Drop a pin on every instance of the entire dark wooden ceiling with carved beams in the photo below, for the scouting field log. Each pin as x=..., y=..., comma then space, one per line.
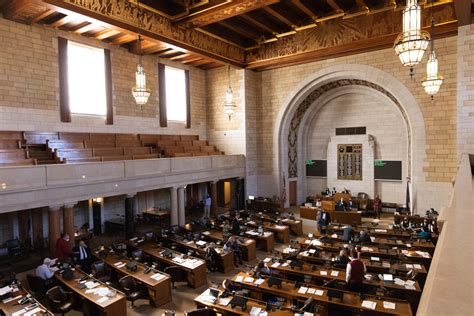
x=255, y=34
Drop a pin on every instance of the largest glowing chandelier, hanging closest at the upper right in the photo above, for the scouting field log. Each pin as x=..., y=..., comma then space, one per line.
x=411, y=44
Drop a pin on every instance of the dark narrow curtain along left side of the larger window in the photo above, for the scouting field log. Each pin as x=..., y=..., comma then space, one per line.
x=64, y=110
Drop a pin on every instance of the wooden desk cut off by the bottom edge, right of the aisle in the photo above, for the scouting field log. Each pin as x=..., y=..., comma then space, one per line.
x=228, y=310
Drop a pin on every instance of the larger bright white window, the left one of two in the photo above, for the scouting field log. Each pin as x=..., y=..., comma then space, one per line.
x=86, y=80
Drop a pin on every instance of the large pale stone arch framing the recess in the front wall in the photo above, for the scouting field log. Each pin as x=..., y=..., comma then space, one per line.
x=334, y=77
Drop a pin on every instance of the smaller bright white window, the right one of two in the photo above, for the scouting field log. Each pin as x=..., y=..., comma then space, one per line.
x=175, y=94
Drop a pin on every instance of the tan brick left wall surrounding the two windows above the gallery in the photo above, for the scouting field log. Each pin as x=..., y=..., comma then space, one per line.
x=29, y=86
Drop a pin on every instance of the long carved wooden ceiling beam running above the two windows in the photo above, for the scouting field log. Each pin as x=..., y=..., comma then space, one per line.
x=123, y=16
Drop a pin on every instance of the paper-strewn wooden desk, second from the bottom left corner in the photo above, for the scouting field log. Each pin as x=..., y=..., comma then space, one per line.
x=114, y=306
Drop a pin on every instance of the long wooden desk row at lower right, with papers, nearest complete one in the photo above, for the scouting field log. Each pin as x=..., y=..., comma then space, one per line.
x=350, y=301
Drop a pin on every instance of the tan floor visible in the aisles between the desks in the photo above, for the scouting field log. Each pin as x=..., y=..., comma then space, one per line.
x=183, y=296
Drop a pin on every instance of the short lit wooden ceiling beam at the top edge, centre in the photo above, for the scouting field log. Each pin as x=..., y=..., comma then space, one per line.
x=225, y=11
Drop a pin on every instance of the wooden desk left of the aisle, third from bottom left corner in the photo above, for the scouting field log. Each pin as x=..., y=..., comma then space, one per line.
x=159, y=291
